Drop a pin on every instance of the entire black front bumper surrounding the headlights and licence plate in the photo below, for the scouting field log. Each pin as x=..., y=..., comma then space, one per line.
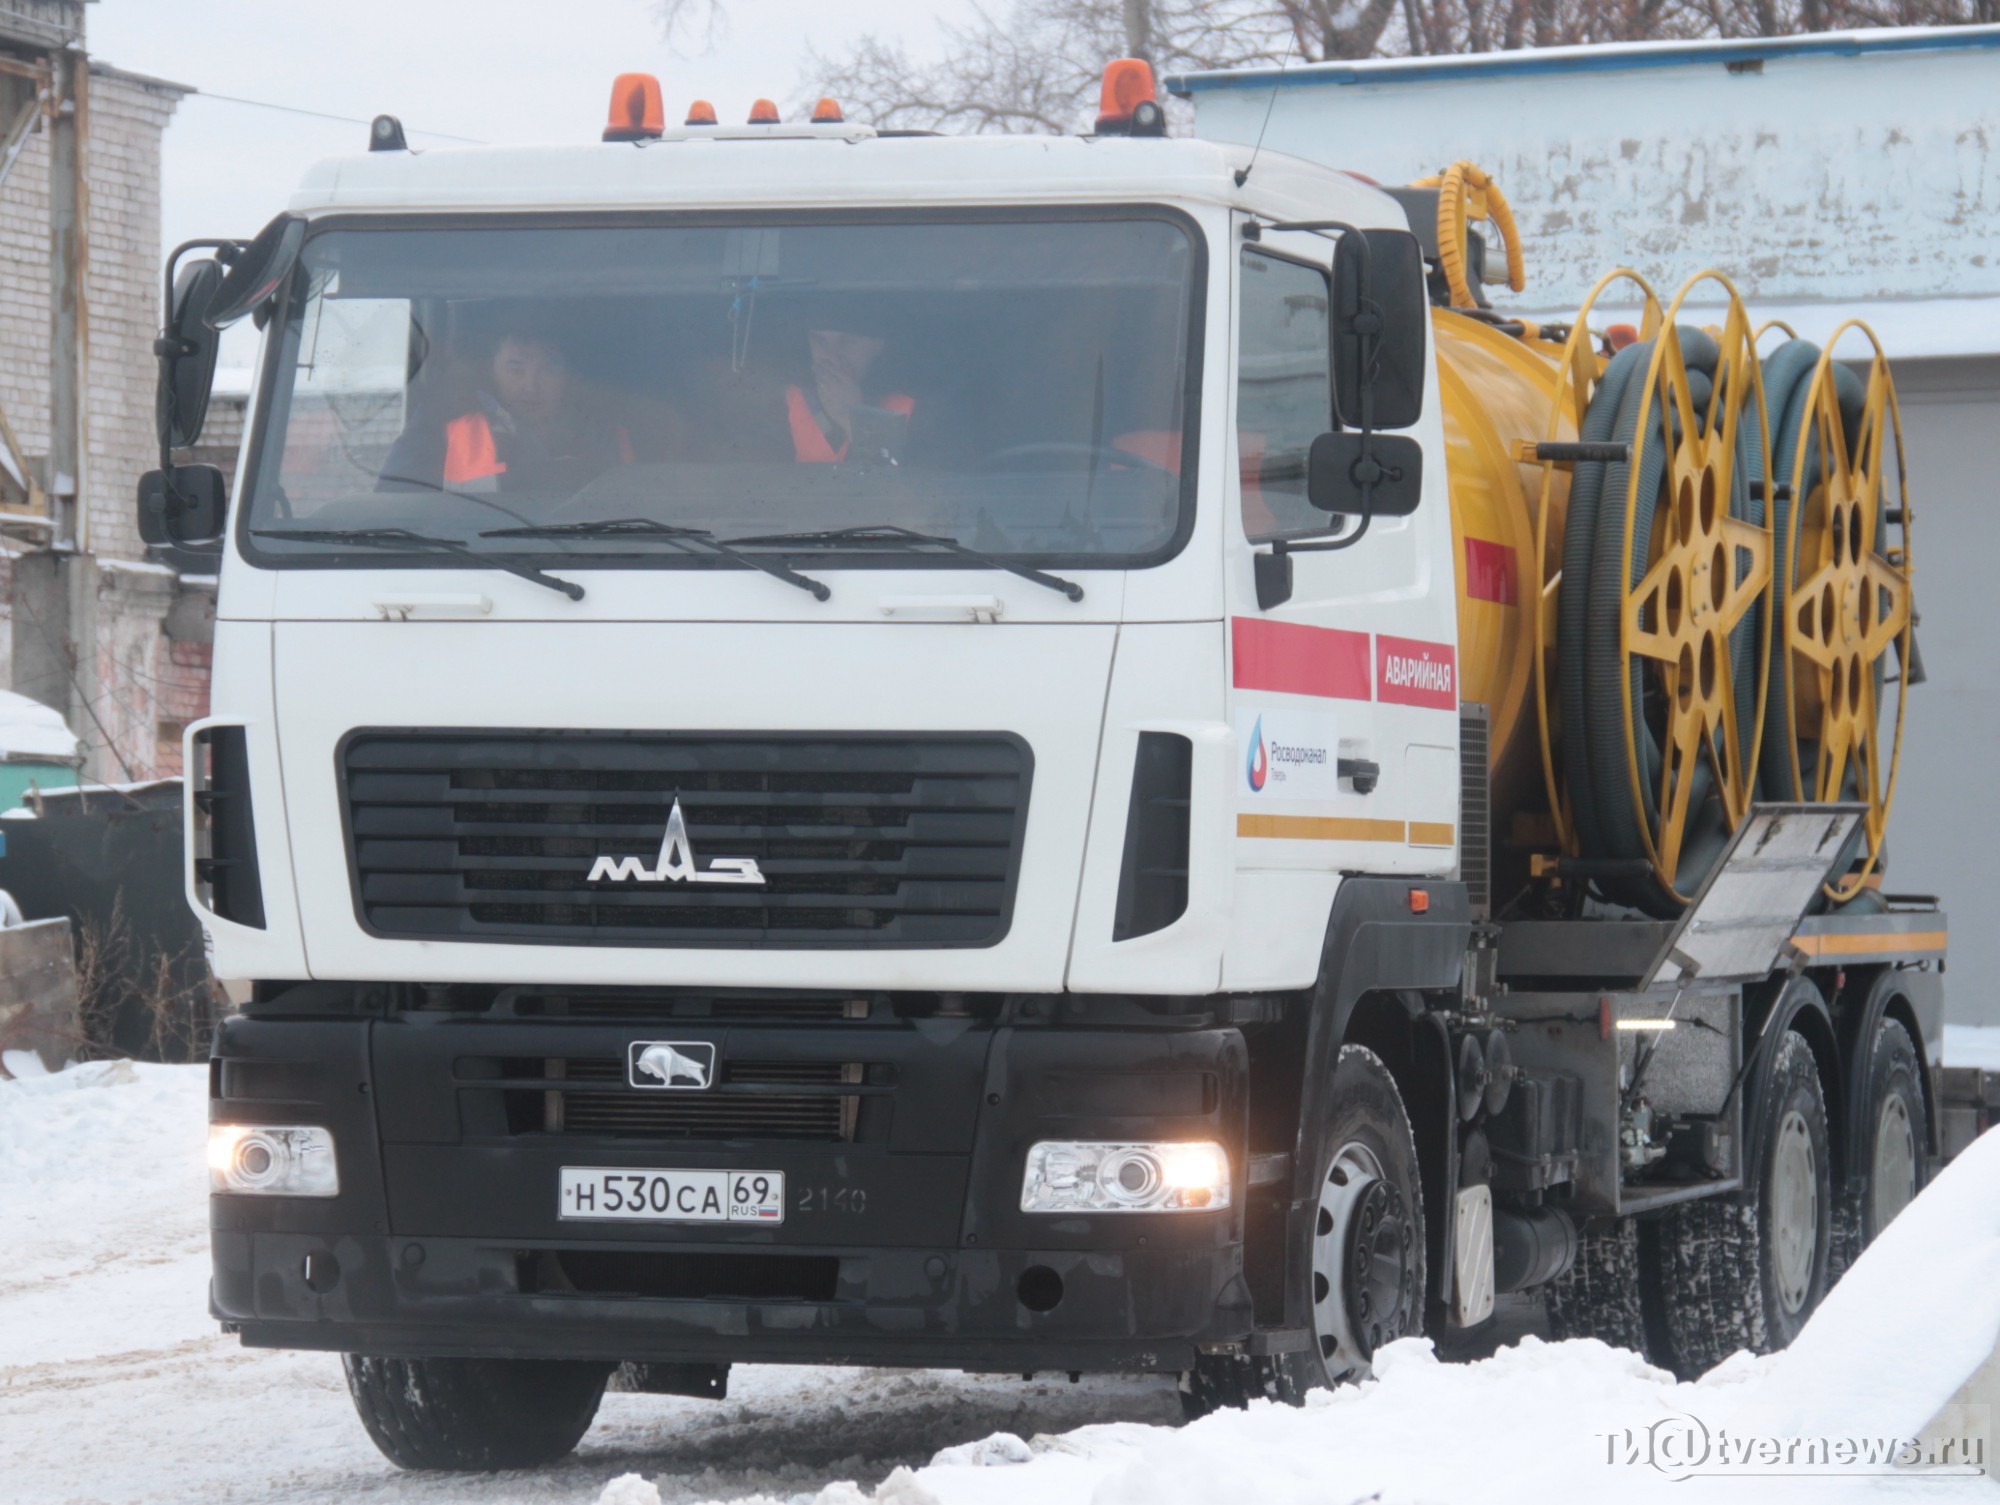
x=903, y=1244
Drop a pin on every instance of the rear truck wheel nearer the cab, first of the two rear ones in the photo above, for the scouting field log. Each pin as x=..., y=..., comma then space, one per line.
x=1747, y=1272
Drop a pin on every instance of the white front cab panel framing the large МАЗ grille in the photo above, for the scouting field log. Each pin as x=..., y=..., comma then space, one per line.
x=1041, y=683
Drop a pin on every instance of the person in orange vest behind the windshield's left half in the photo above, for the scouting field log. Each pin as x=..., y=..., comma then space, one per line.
x=529, y=427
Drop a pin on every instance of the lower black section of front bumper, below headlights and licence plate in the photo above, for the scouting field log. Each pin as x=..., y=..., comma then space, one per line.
x=1139, y=1310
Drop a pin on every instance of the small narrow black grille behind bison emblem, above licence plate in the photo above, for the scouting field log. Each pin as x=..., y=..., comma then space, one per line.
x=749, y=1104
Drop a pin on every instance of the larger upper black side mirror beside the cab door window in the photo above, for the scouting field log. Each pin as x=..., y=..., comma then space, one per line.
x=1381, y=313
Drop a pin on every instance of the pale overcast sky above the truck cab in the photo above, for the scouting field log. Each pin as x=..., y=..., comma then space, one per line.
x=495, y=71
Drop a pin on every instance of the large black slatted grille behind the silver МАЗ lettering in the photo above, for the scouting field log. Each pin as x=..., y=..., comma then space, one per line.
x=863, y=842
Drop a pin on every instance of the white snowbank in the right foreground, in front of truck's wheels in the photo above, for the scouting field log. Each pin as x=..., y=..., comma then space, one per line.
x=1541, y=1422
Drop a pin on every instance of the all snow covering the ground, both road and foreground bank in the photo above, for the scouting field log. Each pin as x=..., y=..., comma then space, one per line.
x=117, y=1388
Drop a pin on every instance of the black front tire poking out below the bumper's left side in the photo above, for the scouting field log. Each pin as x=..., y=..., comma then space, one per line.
x=475, y=1414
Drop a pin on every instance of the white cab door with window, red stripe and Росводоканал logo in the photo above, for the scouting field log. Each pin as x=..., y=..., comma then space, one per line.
x=1345, y=695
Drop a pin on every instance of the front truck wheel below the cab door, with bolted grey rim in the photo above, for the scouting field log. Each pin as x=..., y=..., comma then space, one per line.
x=1367, y=1260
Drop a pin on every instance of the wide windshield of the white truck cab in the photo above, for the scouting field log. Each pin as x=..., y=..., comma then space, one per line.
x=1019, y=387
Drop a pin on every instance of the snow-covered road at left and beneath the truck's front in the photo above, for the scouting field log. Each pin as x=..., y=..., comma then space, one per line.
x=117, y=1386
